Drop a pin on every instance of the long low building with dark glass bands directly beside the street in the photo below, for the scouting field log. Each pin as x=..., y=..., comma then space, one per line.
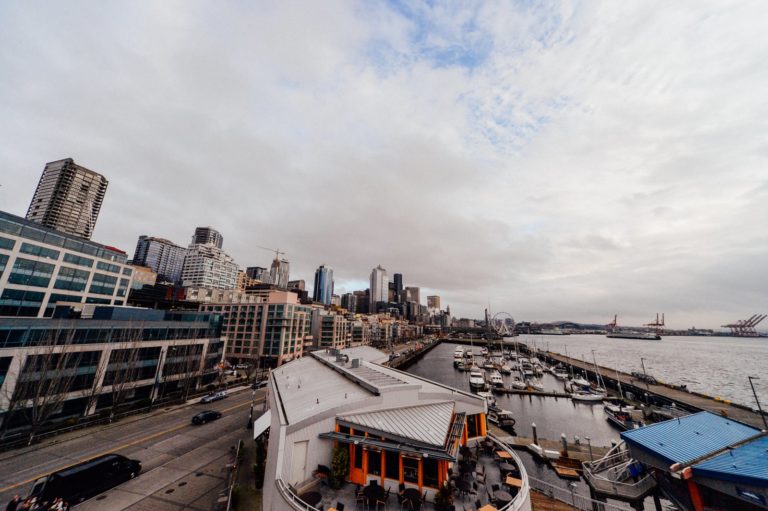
x=100, y=358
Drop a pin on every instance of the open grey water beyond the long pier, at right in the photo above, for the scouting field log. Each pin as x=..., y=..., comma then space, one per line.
x=716, y=366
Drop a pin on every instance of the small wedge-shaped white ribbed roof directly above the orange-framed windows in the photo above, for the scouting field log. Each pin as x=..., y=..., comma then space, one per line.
x=428, y=424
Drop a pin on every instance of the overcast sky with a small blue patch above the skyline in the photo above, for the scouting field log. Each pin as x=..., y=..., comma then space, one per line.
x=556, y=160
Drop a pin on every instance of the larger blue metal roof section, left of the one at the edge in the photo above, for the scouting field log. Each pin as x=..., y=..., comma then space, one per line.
x=687, y=438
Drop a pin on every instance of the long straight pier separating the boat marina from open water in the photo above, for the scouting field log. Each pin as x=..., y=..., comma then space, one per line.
x=689, y=400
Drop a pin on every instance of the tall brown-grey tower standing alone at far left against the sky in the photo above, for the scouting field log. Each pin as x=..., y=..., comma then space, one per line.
x=68, y=198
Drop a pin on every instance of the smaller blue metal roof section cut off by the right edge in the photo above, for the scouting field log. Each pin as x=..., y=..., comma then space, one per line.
x=746, y=464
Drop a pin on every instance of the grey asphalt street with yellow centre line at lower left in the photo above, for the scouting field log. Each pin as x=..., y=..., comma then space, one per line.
x=172, y=451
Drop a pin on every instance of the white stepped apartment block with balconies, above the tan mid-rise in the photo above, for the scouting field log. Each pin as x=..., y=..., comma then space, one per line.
x=209, y=266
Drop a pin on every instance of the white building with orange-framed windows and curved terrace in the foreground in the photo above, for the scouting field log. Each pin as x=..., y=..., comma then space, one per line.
x=393, y=428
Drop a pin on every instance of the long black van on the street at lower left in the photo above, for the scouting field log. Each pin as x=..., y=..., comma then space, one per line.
x=84, y=480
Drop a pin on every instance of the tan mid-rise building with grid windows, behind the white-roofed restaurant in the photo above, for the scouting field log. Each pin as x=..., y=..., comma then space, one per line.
x=265, y=328
